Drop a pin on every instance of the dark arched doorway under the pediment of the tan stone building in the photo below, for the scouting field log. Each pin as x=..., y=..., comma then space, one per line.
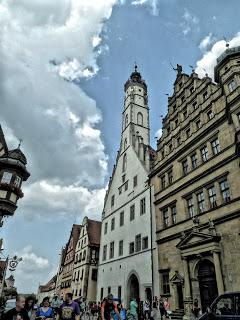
x=207, y=283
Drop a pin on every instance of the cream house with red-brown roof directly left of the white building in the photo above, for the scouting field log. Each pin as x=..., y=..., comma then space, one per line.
x=84, y=280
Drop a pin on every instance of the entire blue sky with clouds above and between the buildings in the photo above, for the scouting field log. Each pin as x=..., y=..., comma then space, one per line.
x=63, y=65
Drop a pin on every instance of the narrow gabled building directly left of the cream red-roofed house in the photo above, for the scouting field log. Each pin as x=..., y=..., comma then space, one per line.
x=66, y=271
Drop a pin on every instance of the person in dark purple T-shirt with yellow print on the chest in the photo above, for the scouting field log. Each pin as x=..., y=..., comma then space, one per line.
x=69, y=310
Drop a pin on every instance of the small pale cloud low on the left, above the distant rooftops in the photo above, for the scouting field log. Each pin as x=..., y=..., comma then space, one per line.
x=32, y=270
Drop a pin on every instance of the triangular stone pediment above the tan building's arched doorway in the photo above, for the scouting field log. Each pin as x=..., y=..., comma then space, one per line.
x=196, y=238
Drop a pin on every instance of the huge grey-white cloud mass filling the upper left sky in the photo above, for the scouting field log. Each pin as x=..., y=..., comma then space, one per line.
x=46, y=48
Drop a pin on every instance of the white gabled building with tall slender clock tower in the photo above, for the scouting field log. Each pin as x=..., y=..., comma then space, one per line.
x=128, y=256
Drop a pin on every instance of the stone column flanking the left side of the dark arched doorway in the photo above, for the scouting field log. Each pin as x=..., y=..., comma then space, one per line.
x=187, y=290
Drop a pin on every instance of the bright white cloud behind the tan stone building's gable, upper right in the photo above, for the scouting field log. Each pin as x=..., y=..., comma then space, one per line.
x=207, y=63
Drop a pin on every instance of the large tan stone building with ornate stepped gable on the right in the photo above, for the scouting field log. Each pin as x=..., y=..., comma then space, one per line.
x=196, y=178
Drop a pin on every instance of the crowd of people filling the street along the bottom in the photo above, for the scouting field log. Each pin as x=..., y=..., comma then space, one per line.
x=108, y=309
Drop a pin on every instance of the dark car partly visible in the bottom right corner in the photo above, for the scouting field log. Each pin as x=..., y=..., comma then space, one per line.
x=226, y=306
